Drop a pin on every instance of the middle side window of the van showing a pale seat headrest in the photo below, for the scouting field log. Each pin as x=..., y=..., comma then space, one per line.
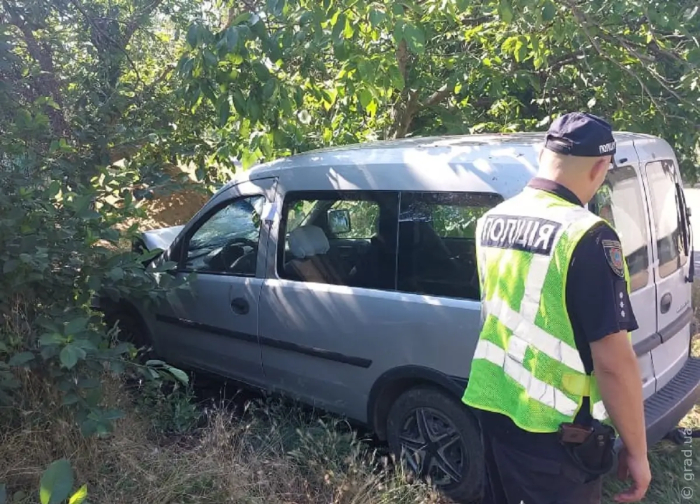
x=340, y=237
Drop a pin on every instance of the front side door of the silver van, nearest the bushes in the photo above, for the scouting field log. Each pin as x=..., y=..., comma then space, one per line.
x=213, y=325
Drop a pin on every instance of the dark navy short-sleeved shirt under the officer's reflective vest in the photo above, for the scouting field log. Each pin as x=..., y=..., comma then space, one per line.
x=598, y=305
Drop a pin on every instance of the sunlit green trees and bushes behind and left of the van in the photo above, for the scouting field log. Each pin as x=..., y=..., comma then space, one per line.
x=107, y=106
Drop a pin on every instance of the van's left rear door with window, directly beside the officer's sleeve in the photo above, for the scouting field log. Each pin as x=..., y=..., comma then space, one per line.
x=621, y=202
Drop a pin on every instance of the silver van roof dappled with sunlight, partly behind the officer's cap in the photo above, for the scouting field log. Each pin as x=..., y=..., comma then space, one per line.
x=500, y=163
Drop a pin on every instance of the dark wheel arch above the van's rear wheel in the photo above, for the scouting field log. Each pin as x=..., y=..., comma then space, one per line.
x=390, y=385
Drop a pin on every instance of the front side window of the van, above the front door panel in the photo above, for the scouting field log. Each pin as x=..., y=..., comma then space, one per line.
x=227, y=242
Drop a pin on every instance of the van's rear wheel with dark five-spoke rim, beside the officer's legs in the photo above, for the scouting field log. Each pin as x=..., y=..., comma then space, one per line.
x=438, y=439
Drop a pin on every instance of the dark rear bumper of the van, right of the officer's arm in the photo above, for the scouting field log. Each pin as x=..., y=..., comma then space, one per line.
x=663, y=410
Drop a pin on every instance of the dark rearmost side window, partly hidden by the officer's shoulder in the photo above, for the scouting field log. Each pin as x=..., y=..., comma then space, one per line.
x=437, y=249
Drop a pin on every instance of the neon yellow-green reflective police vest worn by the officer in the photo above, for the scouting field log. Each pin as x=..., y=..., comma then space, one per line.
x=533, y=236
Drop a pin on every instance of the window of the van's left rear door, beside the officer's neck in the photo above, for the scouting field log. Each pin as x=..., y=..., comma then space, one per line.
x=620, y=202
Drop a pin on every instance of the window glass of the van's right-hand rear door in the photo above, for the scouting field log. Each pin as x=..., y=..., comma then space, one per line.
x=667, y=217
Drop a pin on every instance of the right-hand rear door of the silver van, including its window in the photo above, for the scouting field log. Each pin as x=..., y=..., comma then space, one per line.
x=671, y=266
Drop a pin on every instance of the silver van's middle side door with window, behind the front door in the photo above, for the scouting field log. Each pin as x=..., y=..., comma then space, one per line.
x=316, y=328
